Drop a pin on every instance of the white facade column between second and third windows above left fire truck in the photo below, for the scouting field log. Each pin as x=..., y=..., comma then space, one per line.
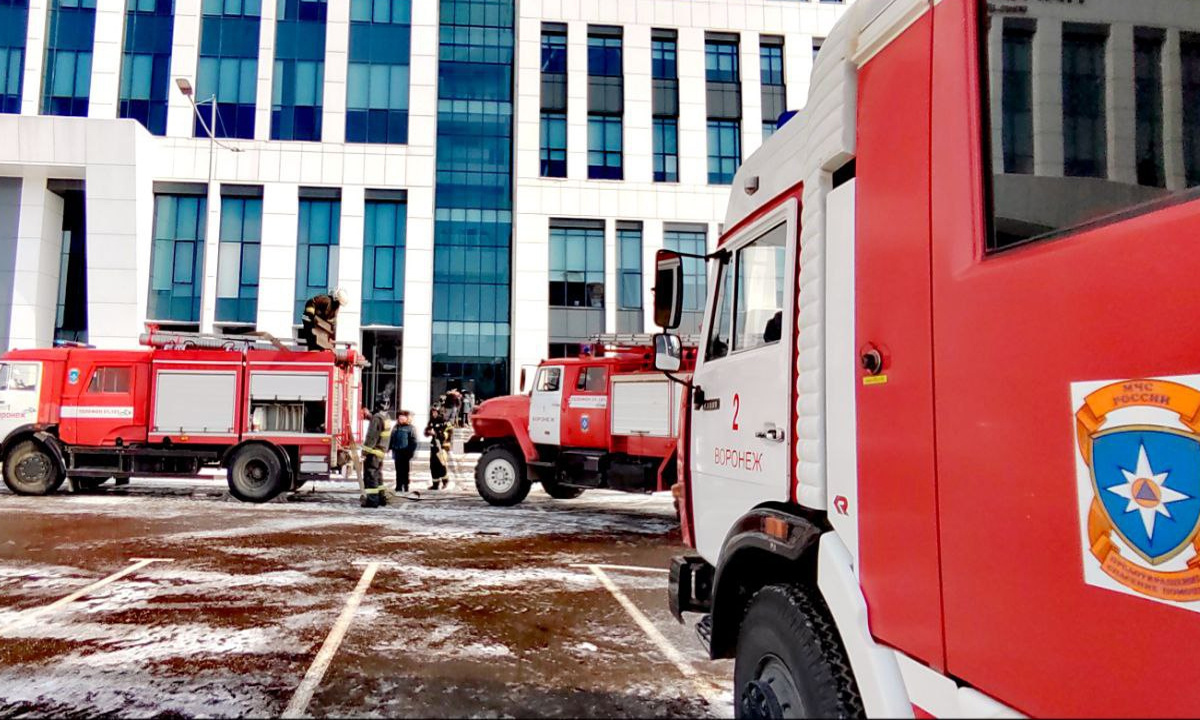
x=278, y=263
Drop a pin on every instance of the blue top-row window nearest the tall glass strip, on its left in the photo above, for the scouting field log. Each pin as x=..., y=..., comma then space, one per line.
x=379, y=74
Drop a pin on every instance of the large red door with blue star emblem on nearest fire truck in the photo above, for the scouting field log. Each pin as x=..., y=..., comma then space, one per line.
x=1067, y=375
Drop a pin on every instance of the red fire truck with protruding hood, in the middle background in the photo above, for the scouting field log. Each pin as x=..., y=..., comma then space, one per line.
x=605, y=419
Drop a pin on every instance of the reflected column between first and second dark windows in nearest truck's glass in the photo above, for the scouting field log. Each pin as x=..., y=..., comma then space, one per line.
x=1048, y=145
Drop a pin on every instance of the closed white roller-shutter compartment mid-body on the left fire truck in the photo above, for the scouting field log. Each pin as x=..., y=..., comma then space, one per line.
x=193, y=401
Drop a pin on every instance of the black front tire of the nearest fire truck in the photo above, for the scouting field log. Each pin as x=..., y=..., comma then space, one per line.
x=790, y=661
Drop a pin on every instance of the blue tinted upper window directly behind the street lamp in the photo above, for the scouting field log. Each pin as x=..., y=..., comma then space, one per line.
x=229, y=68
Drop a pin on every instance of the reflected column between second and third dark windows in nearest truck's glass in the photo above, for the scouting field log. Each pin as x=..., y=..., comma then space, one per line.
x=1123, y=111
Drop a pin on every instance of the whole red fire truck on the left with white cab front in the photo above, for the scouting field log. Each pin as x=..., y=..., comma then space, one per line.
x=273, y=415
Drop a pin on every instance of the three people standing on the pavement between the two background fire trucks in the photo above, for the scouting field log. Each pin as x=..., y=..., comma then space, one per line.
x=399, y=439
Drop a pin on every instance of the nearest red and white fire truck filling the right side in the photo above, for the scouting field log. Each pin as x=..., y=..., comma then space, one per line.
x=965, y=479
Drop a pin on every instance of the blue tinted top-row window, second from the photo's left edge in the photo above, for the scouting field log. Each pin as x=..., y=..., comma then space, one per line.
x=68, y=77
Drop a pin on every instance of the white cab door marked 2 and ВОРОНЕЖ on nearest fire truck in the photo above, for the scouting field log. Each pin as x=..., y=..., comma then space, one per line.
x=740, y=435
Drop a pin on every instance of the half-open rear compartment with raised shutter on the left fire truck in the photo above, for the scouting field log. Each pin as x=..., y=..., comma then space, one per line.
x=289, y=403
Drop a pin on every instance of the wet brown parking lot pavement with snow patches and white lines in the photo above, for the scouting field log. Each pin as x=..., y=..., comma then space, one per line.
x=226, y=609
